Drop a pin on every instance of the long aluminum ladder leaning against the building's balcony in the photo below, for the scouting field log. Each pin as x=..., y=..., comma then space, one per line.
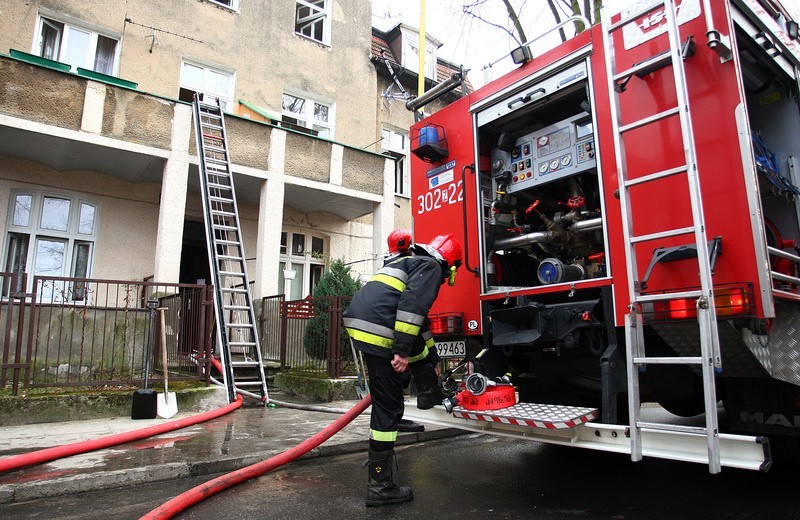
x=237, y=336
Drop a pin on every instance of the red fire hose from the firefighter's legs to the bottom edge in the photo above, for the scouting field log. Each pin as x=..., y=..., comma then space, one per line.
x=214, y=486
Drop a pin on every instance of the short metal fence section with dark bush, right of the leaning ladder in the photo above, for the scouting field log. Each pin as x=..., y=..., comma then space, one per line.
x=307, y=335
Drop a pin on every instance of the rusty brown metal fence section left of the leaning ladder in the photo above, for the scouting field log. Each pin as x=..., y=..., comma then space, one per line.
x=89, y=332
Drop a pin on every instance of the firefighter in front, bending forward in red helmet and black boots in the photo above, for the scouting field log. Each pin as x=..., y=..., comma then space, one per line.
x=385, y=321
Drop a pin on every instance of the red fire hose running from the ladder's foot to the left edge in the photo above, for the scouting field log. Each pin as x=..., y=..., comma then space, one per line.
x=76, y=448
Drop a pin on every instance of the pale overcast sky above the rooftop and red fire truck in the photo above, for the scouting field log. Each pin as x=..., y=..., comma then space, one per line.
x=470, y=42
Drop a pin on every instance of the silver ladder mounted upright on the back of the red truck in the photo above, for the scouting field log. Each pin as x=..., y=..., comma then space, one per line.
x=709, y=358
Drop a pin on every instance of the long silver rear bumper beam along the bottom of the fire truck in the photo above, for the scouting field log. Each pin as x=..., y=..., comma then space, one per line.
x=736, y=451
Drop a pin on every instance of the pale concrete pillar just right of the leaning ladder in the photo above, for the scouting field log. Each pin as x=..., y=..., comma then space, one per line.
x=270, y=220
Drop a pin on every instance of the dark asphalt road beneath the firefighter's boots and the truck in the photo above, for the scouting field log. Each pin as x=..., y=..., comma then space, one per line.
x=466, y=477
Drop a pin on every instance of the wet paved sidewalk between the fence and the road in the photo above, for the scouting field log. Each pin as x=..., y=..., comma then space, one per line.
x=243, y=437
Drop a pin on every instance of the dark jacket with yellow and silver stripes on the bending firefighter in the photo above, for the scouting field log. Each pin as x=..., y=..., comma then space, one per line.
x=389, y=314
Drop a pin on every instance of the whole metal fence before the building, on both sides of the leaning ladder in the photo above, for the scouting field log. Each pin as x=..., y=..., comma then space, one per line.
x=70, y=332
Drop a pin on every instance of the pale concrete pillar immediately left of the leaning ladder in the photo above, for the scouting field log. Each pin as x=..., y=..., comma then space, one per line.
x=172, y=208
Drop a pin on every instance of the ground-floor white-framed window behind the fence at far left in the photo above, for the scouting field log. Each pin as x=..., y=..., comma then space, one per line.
x=51, y=235
